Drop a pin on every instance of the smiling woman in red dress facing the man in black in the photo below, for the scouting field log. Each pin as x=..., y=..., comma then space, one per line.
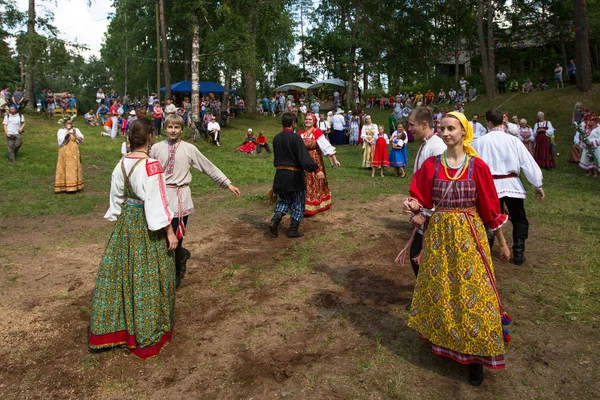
x=318, y=195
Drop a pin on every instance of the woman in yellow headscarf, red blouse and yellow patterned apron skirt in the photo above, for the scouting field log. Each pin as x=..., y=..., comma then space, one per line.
x=456, y=306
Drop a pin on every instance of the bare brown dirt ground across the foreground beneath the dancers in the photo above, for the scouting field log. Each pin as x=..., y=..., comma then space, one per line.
x=317, y=317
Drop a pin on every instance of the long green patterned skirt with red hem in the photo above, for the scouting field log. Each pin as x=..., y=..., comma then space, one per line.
x=134, y=299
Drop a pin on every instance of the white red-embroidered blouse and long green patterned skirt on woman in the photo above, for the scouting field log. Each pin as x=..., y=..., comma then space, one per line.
x=134, y=298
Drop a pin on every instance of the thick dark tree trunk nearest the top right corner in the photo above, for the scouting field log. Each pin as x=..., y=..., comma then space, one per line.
x=583, y=77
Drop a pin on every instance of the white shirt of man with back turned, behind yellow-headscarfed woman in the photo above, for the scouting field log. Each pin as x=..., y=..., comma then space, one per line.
x=505, y=154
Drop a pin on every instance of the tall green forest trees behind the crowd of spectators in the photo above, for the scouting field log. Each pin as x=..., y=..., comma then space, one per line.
x=254, y=46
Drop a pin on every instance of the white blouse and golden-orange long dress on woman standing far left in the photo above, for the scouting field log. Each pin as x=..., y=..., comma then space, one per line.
x=69, y=173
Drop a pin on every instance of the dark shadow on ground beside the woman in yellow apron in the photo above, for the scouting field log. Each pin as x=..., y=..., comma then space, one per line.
x=376, y=310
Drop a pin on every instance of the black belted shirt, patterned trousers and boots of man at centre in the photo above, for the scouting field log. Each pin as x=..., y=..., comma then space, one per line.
x=291, y=160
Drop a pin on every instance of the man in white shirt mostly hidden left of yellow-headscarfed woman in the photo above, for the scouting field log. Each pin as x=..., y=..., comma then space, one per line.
x=420, y=123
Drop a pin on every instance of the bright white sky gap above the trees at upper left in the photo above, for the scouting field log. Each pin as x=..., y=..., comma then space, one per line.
x=77, y=22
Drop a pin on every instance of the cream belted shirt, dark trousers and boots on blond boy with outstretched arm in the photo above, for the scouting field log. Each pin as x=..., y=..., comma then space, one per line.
x=177, y=158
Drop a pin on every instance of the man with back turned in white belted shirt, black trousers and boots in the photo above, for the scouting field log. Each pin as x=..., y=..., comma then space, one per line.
x=507, y=157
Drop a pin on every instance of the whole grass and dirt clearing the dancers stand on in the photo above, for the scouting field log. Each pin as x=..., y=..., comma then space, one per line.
x=321, y=317
